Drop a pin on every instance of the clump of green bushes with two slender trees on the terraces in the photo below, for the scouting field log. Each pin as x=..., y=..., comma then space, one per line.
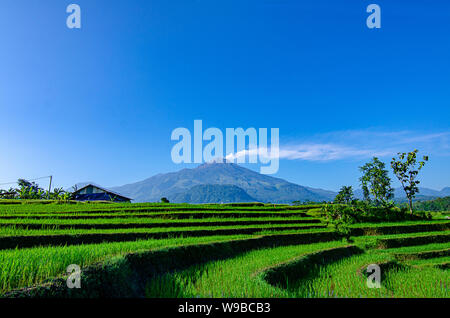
x=378, y=205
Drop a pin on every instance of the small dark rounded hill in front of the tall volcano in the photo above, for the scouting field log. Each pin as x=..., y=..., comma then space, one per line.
x=212, y=193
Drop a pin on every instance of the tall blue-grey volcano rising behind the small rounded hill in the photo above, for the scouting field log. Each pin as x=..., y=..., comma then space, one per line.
x=261, y=187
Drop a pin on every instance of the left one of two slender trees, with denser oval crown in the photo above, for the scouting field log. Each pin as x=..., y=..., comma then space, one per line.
x=376, y=182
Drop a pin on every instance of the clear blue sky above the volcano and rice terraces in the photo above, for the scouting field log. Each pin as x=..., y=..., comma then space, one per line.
x=100, y=103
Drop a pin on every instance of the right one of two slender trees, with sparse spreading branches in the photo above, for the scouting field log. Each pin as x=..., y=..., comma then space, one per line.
x=406, y=168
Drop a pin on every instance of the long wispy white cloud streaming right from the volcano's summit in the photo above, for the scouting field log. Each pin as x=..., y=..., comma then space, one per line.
x=354, y=145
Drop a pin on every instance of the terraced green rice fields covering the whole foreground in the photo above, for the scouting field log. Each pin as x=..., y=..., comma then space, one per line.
x=242, y=250
